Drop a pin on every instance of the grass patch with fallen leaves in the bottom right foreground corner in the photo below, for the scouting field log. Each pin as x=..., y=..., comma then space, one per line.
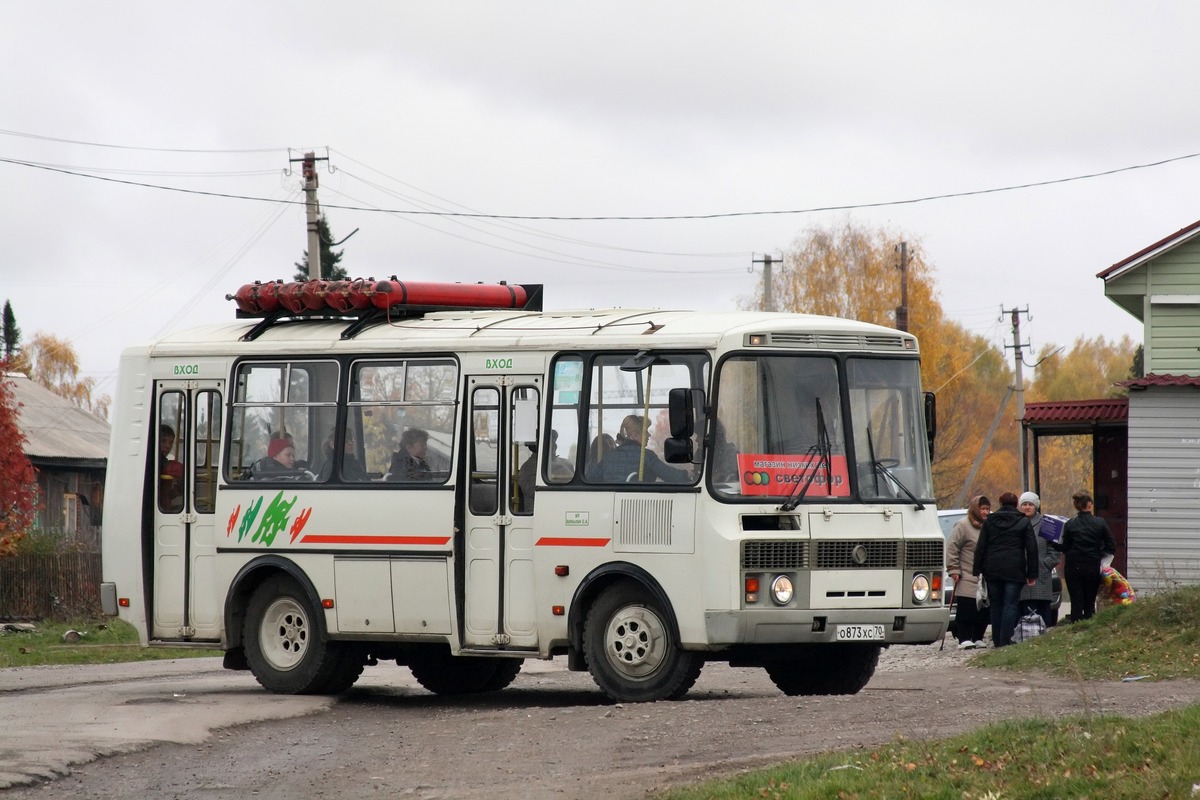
x=1096, y=757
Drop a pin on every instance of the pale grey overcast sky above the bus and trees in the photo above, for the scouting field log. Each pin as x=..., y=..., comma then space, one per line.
x=585, y=110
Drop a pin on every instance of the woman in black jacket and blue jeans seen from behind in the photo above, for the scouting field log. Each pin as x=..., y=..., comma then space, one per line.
x=1007, y=558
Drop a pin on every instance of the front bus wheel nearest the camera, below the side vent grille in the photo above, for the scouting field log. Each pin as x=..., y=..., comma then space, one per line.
x=632, y=652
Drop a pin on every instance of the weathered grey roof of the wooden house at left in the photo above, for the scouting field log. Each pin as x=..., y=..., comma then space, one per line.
x=56, y=429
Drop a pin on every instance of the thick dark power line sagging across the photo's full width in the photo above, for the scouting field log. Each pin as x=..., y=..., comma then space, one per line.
x=667, y=218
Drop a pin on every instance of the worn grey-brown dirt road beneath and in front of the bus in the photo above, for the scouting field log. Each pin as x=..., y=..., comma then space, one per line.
x=554, y=736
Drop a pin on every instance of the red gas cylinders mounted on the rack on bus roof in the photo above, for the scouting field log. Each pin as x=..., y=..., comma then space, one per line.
x=367, y=302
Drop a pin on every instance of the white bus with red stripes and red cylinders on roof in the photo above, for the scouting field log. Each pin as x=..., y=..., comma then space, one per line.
x=401, y=473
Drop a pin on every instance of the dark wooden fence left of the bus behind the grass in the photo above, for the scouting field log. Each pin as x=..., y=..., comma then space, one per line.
x=58, y=587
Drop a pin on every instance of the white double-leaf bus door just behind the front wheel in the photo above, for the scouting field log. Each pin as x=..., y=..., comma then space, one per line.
x=499, y=545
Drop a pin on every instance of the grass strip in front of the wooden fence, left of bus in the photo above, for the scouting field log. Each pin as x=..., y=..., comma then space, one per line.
x=107, y=641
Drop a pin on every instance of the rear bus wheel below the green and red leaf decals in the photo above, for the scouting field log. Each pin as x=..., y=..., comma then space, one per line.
x=285, y=646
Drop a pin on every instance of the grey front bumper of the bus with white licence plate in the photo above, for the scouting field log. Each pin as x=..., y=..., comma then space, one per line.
x=793, y=627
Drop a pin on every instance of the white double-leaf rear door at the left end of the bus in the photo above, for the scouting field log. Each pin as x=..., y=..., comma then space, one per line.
x=184, y=604
